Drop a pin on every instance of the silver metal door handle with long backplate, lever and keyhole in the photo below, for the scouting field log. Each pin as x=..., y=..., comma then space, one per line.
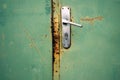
x=66, y=26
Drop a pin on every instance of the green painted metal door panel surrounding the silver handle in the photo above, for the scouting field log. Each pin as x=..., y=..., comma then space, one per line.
x=95, y=49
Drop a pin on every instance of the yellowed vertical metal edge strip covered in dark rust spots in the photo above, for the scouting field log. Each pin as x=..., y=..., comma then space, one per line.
x=55, y=38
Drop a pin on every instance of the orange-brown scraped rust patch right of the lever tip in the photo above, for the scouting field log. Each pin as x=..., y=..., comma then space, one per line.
x=92, y=20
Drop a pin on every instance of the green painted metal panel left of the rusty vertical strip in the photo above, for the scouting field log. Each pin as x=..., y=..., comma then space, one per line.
x=25, y=40
